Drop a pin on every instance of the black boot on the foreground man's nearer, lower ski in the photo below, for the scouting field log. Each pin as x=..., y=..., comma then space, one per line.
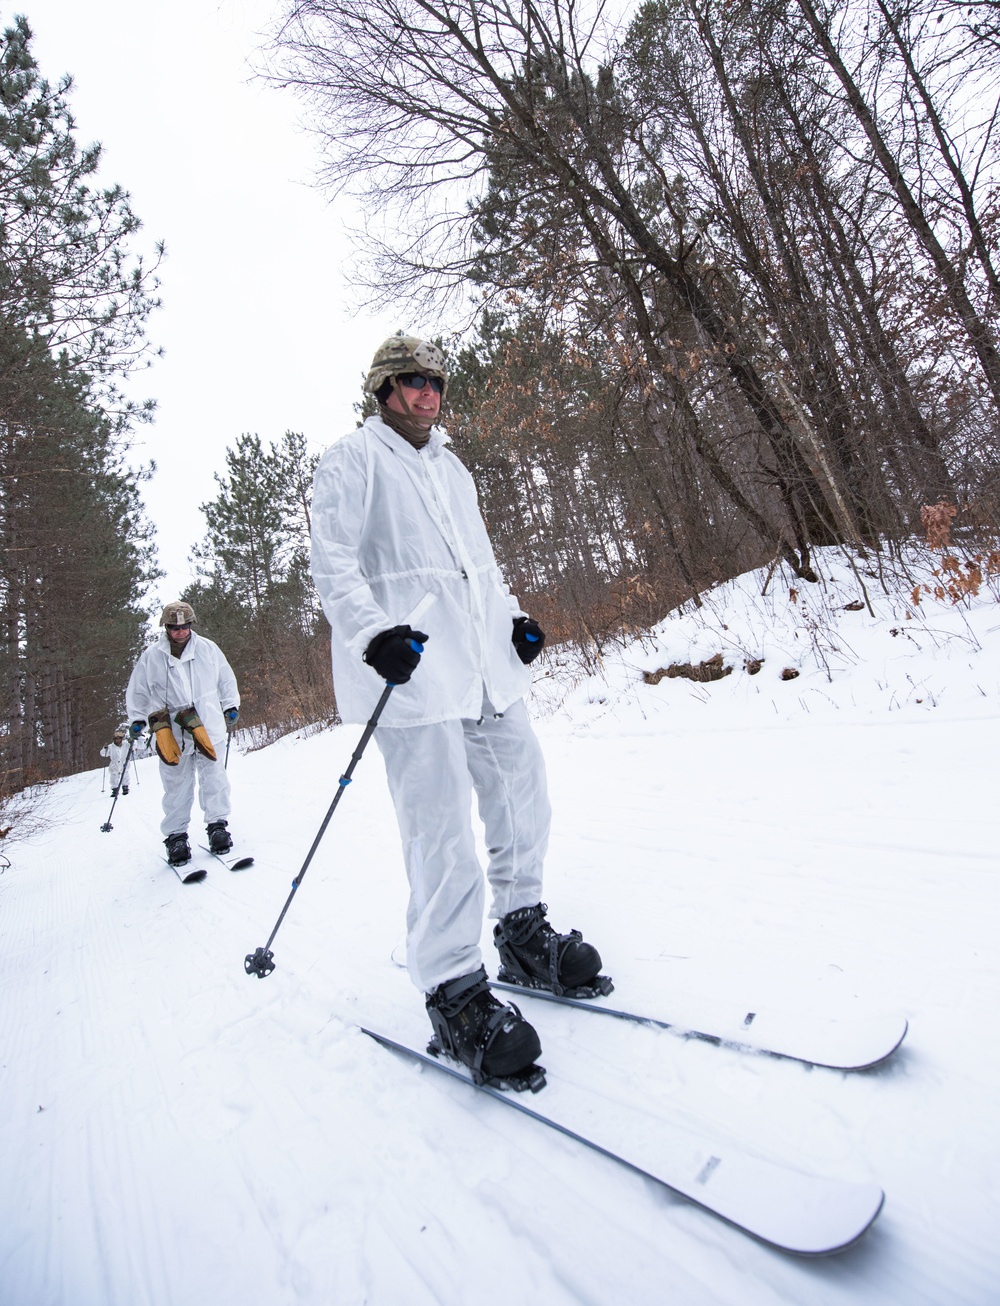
x=493, y=1040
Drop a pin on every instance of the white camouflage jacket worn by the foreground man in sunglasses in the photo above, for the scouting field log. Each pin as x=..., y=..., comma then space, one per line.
x=395, y=530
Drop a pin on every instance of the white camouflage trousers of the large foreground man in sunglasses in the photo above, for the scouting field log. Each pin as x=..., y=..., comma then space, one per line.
x=433, y=771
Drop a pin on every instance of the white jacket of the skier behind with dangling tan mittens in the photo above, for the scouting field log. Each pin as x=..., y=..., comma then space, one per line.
x=200, y=678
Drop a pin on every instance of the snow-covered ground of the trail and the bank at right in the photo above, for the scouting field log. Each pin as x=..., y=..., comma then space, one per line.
x=176, y=1133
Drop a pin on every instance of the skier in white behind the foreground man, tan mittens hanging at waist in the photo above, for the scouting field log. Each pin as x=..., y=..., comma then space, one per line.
x=186, y=692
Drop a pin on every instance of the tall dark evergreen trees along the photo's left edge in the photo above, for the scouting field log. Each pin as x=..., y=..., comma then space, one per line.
x=75, y=550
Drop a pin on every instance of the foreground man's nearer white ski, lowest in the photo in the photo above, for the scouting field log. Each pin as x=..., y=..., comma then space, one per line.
x=790, y=1210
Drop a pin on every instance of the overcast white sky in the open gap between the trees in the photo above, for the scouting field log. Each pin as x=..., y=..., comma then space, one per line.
x=259, y=327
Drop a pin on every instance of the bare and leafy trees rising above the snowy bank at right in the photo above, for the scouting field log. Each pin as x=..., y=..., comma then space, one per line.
x=730, y=270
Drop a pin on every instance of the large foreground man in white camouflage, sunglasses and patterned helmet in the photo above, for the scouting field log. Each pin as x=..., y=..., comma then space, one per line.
x=398, y=531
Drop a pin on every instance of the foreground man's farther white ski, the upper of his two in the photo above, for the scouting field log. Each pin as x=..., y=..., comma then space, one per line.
x=851, y=1043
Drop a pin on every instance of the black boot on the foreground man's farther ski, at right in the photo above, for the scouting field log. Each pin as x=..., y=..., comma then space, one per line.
x=535, y=957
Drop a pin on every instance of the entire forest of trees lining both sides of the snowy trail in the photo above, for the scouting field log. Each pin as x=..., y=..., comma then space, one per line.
x=719, y=285
